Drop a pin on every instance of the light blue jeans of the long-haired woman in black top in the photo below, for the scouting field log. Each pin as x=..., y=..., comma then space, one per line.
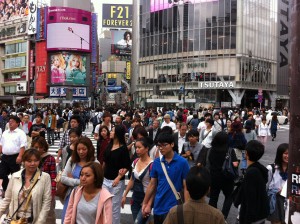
x=116, y=200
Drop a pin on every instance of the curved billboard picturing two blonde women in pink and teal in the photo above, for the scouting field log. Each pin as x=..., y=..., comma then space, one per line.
x=68, y=68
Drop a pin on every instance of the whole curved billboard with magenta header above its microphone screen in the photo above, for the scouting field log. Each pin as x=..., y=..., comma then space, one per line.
x=73, y=26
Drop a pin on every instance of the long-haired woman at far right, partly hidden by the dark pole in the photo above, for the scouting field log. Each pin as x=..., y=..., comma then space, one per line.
x=278, y=174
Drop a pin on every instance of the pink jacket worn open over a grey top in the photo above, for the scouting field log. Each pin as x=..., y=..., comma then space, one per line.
x=104, y=210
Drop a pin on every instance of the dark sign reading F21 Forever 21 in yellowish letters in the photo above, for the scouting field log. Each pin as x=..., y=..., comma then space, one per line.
x=117, y=16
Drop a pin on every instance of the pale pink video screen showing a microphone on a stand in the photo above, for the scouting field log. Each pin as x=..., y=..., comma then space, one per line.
x=68, y=36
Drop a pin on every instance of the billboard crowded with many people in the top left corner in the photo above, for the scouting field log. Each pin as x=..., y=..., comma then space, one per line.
x=11, y=10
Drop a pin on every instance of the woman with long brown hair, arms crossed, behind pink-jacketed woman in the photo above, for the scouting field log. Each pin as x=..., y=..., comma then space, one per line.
x=83, y=153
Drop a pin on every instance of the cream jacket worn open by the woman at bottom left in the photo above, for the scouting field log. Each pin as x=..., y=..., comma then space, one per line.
x=41, y=197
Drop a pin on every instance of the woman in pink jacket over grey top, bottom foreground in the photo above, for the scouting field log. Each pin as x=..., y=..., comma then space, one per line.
x=90, y=203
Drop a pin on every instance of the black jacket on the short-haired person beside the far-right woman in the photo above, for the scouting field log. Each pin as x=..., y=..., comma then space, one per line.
x=253, y=194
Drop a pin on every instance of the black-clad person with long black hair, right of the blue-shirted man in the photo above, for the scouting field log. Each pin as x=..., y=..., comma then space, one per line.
x=219, y=182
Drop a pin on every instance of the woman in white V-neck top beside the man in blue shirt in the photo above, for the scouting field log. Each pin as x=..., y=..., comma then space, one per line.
x=139, y=180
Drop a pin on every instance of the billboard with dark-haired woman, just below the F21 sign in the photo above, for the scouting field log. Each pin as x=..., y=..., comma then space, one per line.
x=121, y=42
